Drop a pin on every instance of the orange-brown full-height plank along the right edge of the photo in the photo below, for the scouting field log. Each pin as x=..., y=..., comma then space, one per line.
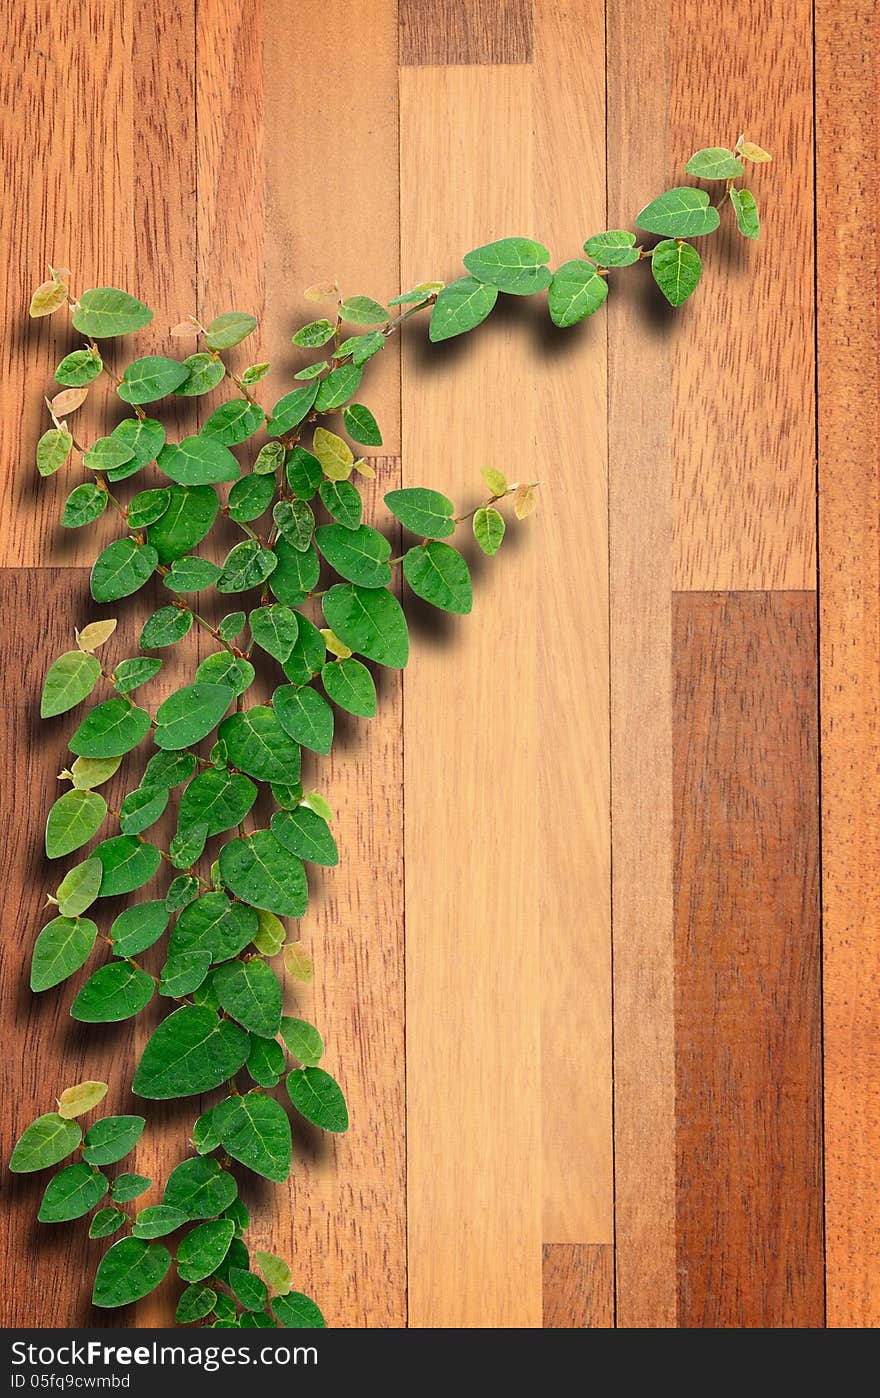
x=849, y=182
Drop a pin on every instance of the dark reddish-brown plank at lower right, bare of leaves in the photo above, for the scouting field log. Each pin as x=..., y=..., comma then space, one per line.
x=748, y=961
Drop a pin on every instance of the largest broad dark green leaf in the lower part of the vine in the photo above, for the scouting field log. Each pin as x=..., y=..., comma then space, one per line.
x=190, y=1053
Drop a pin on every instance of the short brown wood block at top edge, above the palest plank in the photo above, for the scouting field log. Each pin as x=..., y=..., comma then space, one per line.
x=465, y=31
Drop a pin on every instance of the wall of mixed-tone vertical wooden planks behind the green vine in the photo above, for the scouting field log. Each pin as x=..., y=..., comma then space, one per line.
x=572, y=965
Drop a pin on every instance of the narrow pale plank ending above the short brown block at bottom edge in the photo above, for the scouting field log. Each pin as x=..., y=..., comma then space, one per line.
x=576, y=855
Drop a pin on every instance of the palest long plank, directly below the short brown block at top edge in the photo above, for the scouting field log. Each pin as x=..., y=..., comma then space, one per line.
x=472, y=743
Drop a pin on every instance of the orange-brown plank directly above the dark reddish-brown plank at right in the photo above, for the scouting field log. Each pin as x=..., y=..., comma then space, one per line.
x=742, y=356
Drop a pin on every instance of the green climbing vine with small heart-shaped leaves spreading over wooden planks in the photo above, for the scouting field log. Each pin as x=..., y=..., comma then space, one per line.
x=314, y=596
